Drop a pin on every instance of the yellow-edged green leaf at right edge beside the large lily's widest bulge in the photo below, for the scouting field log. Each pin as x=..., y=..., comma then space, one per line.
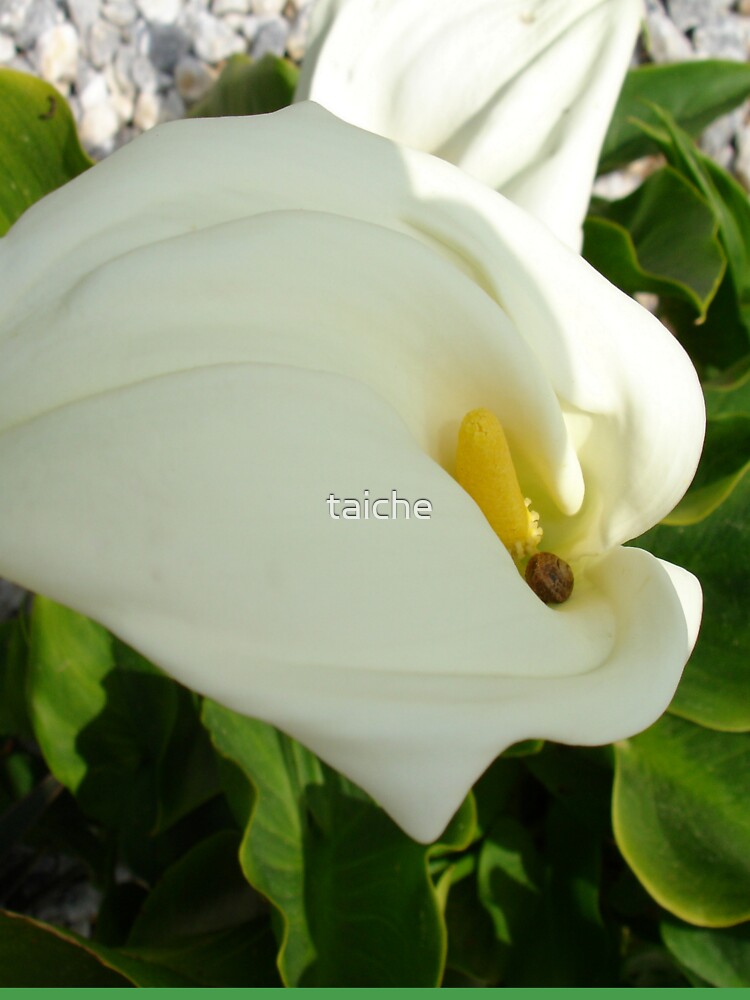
x=725, y=460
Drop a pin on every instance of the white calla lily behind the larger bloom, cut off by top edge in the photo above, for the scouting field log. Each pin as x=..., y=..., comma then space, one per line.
x=518, y=93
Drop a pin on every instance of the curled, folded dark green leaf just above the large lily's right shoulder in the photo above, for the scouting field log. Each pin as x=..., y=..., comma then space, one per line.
x=662, y=238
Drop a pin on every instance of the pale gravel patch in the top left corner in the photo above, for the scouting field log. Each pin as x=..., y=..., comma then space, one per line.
x=127, y=65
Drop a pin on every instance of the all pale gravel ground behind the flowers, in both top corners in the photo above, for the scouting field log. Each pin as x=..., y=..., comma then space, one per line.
x=126, y=65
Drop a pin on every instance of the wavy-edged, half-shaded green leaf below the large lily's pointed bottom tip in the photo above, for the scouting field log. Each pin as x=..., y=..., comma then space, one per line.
x=355, y=901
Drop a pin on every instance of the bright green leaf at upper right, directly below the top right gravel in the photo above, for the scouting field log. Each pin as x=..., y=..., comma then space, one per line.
x=695, y=93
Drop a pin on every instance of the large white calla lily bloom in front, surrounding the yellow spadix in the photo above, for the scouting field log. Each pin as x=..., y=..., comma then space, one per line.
x=226, y=322
